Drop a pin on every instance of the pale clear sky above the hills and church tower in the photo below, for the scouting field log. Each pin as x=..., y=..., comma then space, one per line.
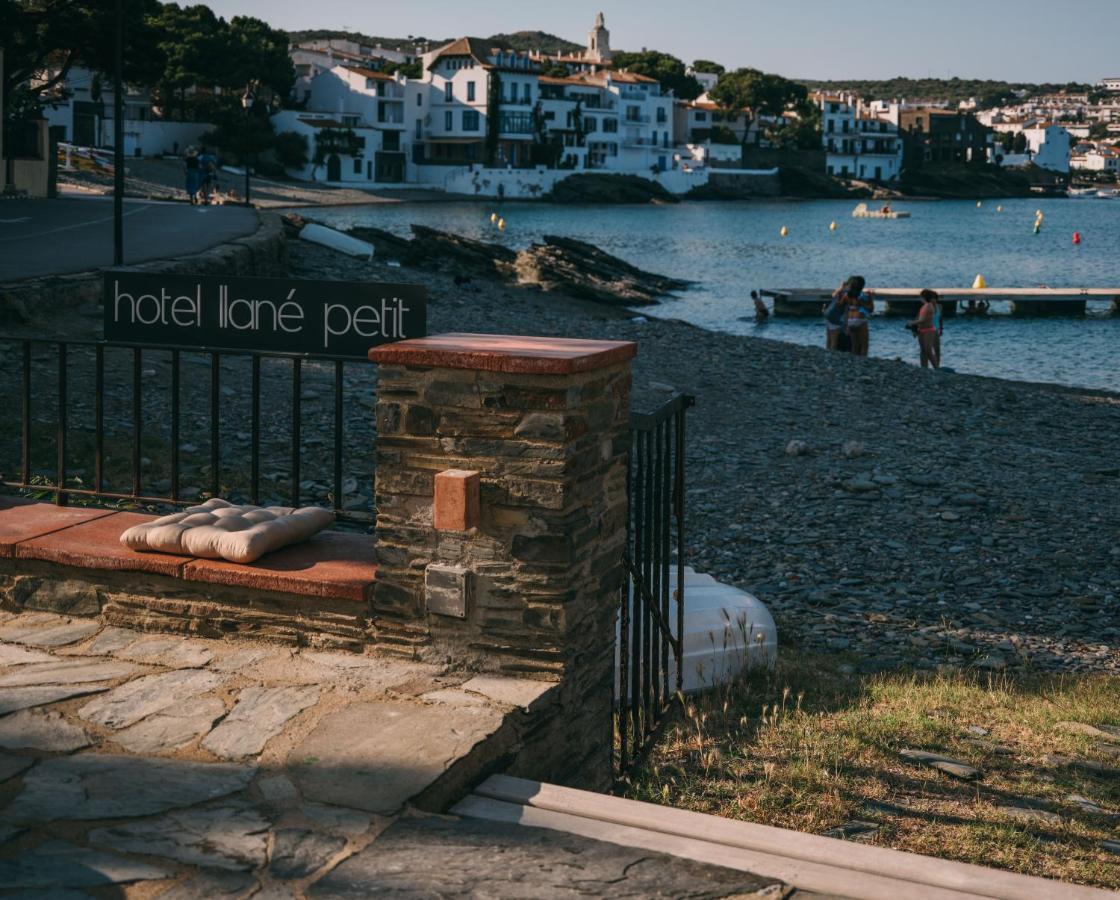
x=1020, y=41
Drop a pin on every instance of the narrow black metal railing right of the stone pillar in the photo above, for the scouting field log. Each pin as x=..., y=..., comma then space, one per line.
x=651, y=620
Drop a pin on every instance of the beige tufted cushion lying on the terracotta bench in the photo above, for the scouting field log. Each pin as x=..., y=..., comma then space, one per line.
x=220, y=530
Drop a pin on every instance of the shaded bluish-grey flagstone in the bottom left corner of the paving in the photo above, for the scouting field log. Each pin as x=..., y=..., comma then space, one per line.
x=62, y=865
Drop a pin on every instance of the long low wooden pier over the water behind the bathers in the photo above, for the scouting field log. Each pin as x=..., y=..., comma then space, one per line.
x=906, y=302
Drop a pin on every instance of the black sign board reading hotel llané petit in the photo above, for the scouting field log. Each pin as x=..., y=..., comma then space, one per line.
x=321, y=318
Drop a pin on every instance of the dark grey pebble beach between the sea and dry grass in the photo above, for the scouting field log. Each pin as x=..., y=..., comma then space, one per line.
x=888, y=514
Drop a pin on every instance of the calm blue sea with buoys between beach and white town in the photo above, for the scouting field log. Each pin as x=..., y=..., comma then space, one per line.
x=729, y=249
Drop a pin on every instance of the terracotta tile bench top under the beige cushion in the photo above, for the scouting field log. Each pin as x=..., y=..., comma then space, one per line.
x=332, y=565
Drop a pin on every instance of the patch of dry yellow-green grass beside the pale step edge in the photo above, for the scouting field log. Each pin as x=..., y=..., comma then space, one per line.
x=811, y=747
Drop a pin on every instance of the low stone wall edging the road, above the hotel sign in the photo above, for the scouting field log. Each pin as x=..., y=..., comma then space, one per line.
x=263, y=254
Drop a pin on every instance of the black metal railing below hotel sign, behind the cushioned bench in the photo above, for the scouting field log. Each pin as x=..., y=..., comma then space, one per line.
x=63, y=434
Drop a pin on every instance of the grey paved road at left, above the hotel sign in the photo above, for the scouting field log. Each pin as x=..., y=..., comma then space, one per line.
x=42, y=238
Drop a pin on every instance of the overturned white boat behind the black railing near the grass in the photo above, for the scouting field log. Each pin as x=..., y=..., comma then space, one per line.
x=726, y=631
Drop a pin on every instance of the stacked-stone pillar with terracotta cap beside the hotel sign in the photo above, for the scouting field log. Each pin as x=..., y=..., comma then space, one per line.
x=531, y=590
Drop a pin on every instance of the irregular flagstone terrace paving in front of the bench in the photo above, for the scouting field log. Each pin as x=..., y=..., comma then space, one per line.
x=130, y=787
